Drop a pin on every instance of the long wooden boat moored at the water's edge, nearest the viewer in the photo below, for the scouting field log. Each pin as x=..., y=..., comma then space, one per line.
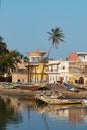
x=57, y=101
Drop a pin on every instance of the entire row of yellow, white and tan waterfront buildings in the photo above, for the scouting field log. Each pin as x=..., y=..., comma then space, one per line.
x=73, y=70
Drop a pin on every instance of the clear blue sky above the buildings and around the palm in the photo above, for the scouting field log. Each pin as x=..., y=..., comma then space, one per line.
x=24, y=25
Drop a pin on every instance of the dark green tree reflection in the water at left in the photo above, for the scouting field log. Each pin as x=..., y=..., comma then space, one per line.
x=8, y=113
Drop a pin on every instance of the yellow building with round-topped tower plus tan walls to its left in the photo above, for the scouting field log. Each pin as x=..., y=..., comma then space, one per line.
x=32, y=70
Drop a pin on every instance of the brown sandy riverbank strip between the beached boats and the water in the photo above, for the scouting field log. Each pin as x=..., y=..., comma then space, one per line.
x=82, y=93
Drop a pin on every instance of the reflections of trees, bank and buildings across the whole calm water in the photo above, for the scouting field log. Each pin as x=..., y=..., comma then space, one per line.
x=11, y=110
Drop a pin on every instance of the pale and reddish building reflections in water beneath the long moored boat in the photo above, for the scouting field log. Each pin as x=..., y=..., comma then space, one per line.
x=73, y=113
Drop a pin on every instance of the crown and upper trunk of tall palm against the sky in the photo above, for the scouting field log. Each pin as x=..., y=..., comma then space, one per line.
x=57, y=36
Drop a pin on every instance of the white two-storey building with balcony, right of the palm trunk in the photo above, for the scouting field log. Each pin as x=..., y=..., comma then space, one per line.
x=58, y=70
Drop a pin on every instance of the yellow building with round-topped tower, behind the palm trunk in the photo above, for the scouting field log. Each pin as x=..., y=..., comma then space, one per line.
x=36, y=66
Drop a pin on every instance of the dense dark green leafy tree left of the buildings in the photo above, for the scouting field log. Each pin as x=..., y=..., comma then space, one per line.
x=8, y=59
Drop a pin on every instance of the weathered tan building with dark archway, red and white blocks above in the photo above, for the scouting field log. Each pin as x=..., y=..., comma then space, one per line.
x=78, y=67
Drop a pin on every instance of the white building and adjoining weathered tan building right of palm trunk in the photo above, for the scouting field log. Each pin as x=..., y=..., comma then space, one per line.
x=74, y=72
